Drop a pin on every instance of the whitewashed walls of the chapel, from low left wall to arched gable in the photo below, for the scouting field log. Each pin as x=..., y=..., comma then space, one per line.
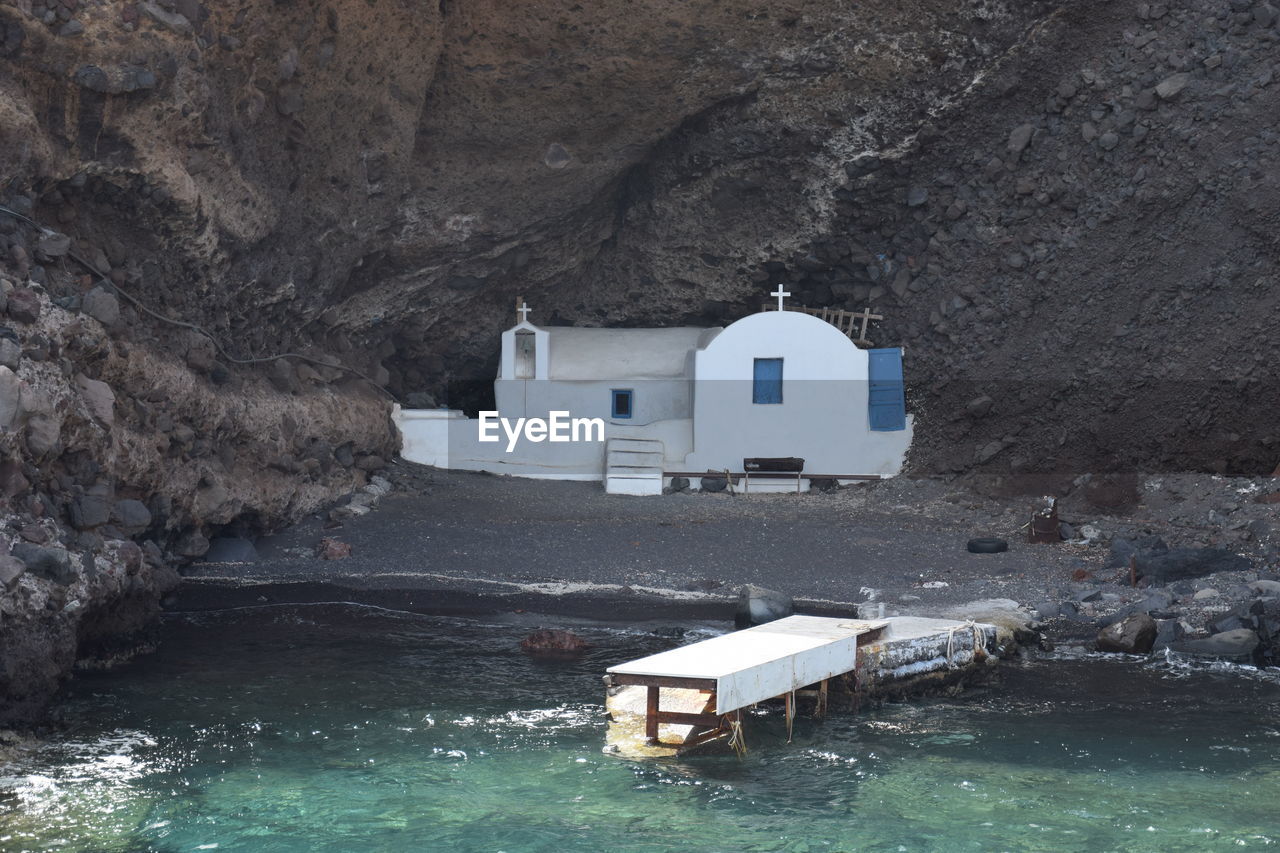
x=824, y=416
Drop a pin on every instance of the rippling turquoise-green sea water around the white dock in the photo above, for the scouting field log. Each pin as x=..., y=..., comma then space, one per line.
x=344, y=729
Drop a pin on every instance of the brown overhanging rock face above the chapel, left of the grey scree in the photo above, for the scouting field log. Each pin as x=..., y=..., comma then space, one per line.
x=394, y=174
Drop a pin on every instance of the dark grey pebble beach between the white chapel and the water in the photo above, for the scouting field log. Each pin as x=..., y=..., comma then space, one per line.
x=470, y=545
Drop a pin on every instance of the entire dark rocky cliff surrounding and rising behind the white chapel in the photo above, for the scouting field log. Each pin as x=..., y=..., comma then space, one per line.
x=1067, y=213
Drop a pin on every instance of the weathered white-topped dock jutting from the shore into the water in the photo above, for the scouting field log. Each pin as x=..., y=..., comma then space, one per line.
x=668, y=704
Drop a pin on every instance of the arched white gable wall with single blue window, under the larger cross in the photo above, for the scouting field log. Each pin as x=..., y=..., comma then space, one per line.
x=824, y=417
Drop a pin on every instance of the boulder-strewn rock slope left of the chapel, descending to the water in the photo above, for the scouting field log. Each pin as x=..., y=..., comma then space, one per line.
x=121, y=463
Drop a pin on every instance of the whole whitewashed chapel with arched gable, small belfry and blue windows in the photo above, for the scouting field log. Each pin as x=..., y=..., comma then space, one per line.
x=639, y=407
